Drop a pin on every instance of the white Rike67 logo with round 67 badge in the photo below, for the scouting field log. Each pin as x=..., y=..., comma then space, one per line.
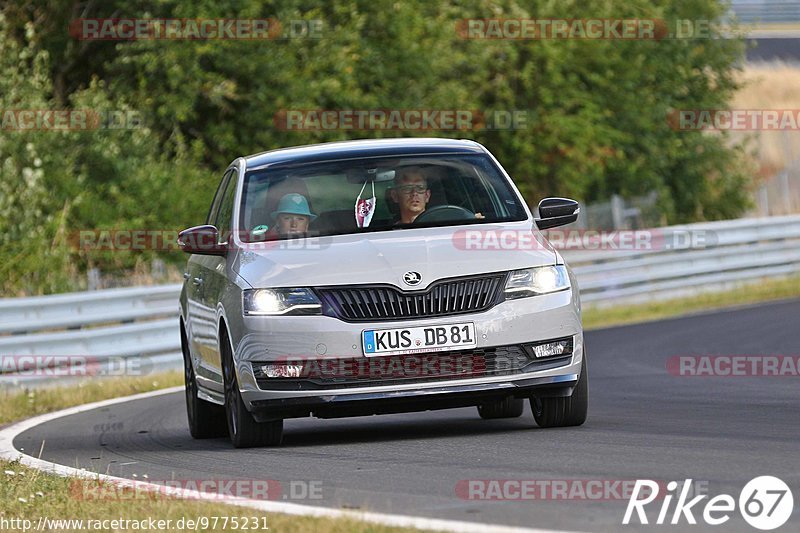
x=765, y=503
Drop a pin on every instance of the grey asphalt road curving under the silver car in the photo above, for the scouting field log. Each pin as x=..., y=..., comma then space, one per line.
x=643, y=423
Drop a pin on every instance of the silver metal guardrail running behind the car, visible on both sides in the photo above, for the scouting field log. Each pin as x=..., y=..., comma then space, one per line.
x=142, y=322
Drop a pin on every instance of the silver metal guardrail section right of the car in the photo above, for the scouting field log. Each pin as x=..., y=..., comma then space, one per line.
x=735, y=251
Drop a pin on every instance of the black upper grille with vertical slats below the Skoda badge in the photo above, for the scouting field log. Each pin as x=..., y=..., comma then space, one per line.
x=386, y=302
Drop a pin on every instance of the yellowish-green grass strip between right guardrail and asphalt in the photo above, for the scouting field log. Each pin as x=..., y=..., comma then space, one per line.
x=764, y=291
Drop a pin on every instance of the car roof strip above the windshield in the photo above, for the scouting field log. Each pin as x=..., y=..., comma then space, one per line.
x=363, y=148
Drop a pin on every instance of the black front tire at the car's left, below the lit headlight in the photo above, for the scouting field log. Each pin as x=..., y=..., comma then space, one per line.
x=243, y=429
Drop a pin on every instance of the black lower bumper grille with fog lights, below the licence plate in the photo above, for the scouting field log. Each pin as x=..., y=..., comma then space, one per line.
x=400, y=369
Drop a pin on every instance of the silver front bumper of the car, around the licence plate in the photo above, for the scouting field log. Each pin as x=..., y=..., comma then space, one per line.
x=515, y=322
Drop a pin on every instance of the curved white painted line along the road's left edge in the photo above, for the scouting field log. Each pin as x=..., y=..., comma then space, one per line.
x=8, y=452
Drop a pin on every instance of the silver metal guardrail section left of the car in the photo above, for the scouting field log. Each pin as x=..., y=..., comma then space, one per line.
x=95, y=328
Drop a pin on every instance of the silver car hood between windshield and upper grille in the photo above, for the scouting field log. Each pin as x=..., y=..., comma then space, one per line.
x=383, y=257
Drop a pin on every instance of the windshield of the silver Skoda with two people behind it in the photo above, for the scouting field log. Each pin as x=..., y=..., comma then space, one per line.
x=375, y=194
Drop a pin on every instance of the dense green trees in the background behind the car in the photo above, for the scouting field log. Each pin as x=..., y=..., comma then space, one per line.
x=596, y=109
